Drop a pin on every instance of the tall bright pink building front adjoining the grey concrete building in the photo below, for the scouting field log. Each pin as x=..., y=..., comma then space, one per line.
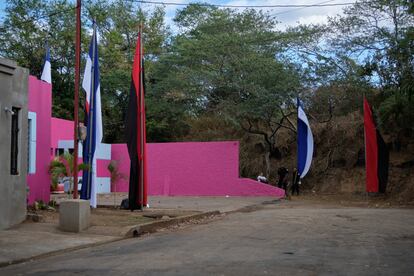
x=40, y=102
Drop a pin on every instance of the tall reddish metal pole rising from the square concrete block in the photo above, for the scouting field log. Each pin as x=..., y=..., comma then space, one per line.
x=76, y=100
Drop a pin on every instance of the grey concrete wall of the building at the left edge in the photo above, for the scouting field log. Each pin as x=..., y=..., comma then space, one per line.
x=13, y=83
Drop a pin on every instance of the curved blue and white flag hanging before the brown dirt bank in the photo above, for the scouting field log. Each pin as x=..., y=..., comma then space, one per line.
x=305, y=142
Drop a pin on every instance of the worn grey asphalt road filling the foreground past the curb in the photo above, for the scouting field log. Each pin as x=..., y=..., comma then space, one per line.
x=276, y=240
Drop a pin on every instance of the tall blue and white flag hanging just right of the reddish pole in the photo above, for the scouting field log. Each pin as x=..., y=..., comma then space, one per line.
x=94, y=133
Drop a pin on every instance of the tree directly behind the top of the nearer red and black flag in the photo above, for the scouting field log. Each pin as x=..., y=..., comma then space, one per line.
x=119, y=23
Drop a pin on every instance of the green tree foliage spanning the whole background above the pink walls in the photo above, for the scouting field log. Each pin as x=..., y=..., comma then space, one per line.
x=225, y=74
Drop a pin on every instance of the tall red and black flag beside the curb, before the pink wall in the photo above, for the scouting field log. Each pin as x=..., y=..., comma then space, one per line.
x=136, y=133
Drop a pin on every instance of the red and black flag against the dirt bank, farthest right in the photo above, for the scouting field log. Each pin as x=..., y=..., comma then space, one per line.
x=376, y=155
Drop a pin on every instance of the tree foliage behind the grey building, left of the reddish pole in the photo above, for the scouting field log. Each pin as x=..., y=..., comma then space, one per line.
x=27, y=27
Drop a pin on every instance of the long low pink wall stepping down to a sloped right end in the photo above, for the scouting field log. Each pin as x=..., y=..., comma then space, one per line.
x=192, y=169
